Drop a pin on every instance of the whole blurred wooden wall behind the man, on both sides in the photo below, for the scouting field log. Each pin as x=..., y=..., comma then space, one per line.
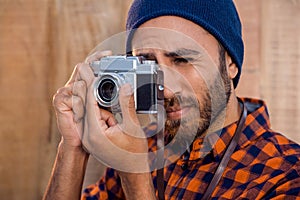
x=42, y=40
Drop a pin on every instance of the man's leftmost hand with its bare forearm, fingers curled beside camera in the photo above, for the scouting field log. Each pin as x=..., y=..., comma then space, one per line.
x=69, y=168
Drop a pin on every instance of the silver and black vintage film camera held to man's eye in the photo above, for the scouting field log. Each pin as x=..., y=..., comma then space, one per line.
x=145, y=77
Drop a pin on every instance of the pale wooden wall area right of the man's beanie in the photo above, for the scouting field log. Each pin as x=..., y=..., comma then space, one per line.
x=272, y=60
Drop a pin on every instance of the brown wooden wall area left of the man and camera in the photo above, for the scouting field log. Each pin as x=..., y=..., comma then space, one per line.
x=40, y=43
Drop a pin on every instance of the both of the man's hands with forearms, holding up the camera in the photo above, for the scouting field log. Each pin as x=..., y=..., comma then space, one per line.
x=82, y=123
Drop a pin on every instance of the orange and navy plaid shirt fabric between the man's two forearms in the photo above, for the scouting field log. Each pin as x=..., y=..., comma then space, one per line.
x=108, y=187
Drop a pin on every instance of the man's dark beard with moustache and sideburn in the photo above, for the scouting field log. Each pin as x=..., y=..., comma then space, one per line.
x=209, y=113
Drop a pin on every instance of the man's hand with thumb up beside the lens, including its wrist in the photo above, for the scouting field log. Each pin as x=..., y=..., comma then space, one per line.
x=122, y=146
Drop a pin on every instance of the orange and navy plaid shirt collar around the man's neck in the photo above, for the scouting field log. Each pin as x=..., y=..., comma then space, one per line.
x=216, y=143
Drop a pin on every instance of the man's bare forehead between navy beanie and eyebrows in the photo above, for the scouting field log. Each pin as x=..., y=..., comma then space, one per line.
x=172, y=32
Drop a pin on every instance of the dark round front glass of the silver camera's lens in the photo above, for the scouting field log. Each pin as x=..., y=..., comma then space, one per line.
x=107, y=90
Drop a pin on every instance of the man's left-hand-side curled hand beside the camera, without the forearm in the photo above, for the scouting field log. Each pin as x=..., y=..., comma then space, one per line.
x=69, y=102
